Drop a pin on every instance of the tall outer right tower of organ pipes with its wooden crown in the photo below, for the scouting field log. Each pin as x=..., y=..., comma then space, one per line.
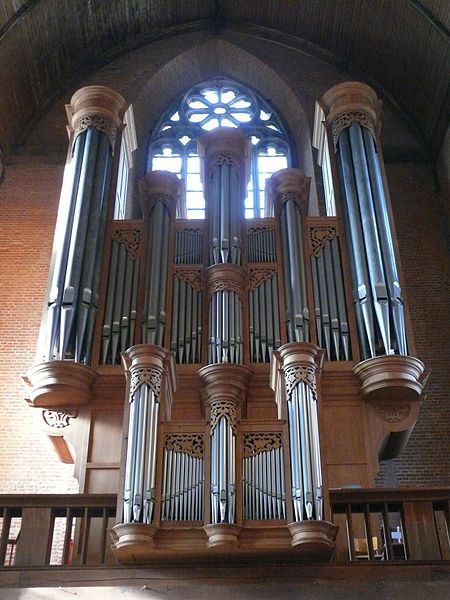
x=351, y=111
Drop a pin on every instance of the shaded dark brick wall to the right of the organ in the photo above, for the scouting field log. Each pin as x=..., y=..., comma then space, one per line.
x=421, y=230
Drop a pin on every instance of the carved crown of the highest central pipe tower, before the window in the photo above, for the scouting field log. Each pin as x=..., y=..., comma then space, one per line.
x=225, y=146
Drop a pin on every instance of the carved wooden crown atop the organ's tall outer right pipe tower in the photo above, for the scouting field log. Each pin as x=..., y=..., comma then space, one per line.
x=350, y=102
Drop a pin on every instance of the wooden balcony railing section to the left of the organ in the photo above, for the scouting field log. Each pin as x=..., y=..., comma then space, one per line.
x=45, y=529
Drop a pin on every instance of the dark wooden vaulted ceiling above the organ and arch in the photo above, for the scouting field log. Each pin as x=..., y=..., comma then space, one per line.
x=400, y=47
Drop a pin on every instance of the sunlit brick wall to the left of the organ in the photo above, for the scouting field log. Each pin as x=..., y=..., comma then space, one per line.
x=29, y=197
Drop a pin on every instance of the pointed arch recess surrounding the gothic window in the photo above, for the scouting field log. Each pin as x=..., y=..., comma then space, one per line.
x=215, y=58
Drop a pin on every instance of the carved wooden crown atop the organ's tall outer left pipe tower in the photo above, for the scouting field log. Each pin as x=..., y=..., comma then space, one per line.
x=96, y=106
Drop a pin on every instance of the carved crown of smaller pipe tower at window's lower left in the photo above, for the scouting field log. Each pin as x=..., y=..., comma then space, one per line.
x=159, y=186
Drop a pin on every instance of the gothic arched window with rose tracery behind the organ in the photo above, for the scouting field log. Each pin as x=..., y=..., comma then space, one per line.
x=219, y=103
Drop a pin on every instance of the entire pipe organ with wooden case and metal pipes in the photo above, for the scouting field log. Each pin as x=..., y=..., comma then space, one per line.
x=243, y=341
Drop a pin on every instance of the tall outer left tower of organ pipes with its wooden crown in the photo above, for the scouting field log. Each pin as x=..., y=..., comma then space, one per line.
x=75, y=278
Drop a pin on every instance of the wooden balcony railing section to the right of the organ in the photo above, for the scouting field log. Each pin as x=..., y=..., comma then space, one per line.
x=391, y=525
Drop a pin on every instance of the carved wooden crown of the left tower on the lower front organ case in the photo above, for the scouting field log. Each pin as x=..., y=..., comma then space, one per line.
x=152, y=366
